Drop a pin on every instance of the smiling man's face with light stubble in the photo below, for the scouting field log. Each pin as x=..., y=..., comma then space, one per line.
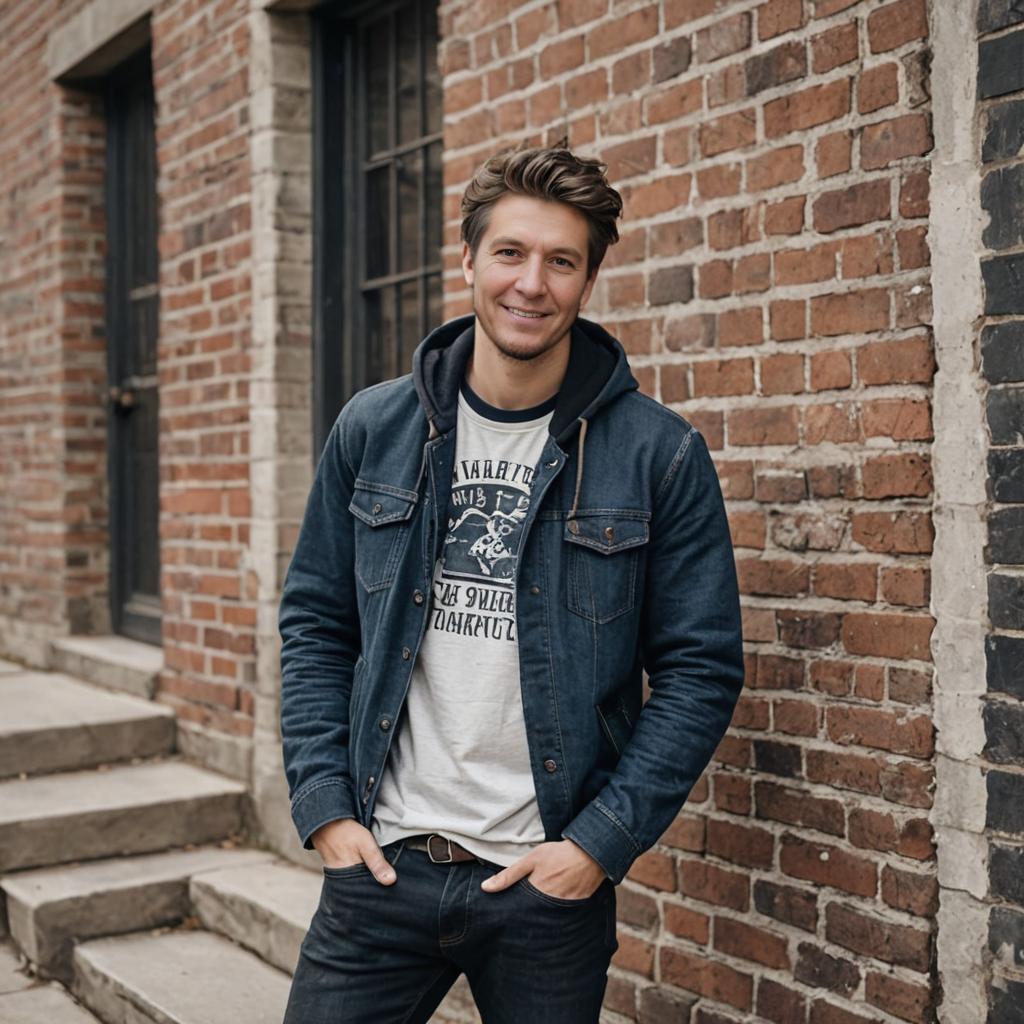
x=529, y=275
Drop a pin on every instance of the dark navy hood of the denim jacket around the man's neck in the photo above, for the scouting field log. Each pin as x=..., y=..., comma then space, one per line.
x=596, y=375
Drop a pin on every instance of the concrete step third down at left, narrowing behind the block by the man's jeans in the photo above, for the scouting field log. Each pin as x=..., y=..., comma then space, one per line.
x=52, y=909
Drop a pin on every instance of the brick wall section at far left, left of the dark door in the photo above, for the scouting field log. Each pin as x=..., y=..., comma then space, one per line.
x=53, y=357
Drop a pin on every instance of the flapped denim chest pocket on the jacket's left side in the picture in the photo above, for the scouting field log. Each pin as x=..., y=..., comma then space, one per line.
x=382, y=521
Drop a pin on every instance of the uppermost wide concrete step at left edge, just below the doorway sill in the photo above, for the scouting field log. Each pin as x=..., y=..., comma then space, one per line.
x=54, y=723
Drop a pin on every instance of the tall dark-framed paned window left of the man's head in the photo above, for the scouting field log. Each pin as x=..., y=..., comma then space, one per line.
x=378, y=196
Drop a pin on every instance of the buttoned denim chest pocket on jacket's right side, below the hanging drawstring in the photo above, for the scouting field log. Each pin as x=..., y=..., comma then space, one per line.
x=604, y=551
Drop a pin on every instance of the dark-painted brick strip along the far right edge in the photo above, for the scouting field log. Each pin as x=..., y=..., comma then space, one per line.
x=1001, y=95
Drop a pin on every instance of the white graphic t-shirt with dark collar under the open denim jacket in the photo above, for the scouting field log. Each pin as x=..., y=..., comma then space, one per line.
x=460, y=764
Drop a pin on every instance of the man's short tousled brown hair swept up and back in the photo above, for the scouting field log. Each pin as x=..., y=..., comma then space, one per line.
x=549, y=174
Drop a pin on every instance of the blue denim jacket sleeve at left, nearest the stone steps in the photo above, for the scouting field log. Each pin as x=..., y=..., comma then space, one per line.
x=319, y=624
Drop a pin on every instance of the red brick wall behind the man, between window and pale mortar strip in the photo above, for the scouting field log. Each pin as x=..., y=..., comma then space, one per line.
x=773, y=285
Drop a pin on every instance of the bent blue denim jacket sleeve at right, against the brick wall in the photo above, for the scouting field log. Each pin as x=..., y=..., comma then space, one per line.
x=692, y=647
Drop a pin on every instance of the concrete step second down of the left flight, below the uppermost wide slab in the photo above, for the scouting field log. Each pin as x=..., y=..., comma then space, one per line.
x=54, y=820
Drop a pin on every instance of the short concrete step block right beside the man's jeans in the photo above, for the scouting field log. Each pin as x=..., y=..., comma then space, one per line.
x=266, y=908
